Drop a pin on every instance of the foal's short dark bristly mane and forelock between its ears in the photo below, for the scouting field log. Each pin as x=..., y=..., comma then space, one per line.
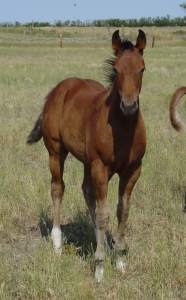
x=109, y=70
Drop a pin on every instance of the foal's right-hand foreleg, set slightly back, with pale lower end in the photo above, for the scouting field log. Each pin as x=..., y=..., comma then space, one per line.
x=126, y=185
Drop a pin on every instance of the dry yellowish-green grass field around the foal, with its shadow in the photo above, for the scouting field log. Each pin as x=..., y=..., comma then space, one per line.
x=31, y=64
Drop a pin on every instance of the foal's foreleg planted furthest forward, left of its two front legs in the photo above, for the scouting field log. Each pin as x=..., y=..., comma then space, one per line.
x=100, y=180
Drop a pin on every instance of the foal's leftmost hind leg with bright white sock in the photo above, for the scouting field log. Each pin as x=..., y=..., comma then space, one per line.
x=56, y=162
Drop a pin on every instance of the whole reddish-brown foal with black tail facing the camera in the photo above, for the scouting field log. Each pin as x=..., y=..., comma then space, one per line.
x=104, y=129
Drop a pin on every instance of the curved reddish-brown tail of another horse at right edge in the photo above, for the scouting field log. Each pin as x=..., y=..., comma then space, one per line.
x=174, y=117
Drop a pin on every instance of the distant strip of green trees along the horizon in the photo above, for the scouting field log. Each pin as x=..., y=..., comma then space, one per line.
x=158, y=21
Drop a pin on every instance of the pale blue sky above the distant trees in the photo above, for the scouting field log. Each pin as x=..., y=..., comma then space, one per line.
x=51, y=10
